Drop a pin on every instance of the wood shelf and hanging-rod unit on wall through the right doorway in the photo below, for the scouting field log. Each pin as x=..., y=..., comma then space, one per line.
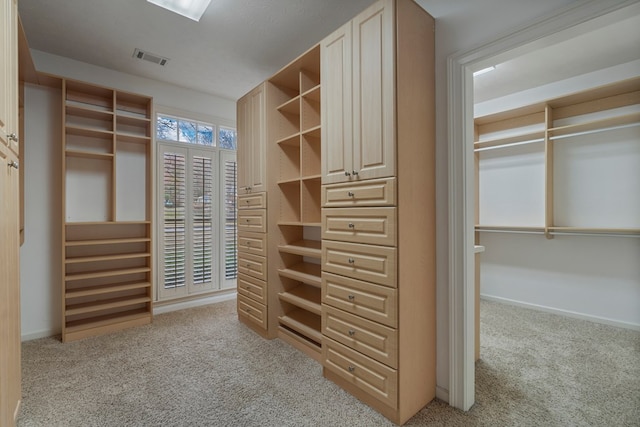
x=572, y=161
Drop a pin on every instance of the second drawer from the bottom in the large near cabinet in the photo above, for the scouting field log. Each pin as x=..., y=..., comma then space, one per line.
x=370, y=338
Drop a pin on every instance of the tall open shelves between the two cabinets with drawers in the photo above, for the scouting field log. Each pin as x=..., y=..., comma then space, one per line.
x=294, y=149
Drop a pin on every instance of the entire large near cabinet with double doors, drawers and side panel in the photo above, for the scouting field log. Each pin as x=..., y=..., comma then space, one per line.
x=378, y=214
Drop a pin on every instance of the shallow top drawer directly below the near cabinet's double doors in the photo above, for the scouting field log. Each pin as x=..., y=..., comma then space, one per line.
x=372, y=192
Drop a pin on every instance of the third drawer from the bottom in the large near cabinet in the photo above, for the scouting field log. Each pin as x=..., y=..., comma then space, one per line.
x=373, y=302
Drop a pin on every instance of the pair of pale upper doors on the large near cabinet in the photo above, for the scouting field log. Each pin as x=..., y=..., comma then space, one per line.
x=358, y=109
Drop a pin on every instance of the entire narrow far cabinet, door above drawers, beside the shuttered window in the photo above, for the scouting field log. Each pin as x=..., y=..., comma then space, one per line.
x=252, y=210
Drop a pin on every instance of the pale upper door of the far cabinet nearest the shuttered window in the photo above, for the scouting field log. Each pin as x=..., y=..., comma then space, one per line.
x=252, y=175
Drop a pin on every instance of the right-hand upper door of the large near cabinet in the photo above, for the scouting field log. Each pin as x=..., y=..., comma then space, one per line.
x=373, y=92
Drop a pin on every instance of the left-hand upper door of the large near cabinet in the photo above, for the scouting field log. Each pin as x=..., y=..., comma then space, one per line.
x=337, y=135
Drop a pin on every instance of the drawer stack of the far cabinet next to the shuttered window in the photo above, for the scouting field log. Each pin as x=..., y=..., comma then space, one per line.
x=252, y=260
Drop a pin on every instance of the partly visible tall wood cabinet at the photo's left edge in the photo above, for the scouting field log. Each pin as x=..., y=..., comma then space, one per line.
x=10, y=375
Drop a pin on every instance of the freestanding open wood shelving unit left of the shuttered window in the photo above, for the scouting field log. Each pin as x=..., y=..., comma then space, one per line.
x=107, y=229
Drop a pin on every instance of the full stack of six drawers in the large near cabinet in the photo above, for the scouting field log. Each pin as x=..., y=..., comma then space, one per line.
x=359, y=286
